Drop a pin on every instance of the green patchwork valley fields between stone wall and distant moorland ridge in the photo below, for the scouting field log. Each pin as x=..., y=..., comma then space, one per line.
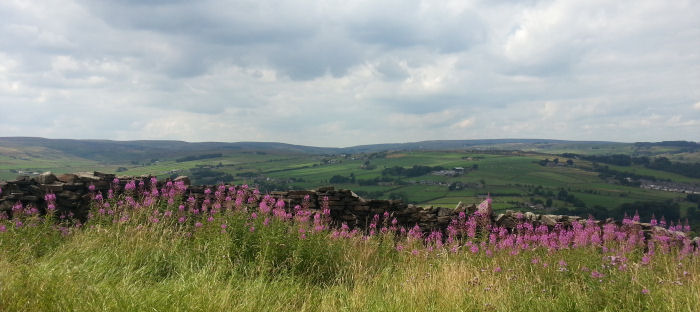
x=515, y=179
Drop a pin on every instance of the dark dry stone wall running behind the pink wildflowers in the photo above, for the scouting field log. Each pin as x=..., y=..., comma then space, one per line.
x=73, y=198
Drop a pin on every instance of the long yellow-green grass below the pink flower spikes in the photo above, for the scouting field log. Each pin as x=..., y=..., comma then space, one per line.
x=139, y=266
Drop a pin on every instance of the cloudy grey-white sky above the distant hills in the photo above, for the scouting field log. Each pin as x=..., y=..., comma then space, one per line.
x=344, y=73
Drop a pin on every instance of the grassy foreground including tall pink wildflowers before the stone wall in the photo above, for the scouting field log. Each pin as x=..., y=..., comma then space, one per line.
x=164, y=253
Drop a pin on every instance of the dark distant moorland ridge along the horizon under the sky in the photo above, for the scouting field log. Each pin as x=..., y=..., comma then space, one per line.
x=107, y=151
